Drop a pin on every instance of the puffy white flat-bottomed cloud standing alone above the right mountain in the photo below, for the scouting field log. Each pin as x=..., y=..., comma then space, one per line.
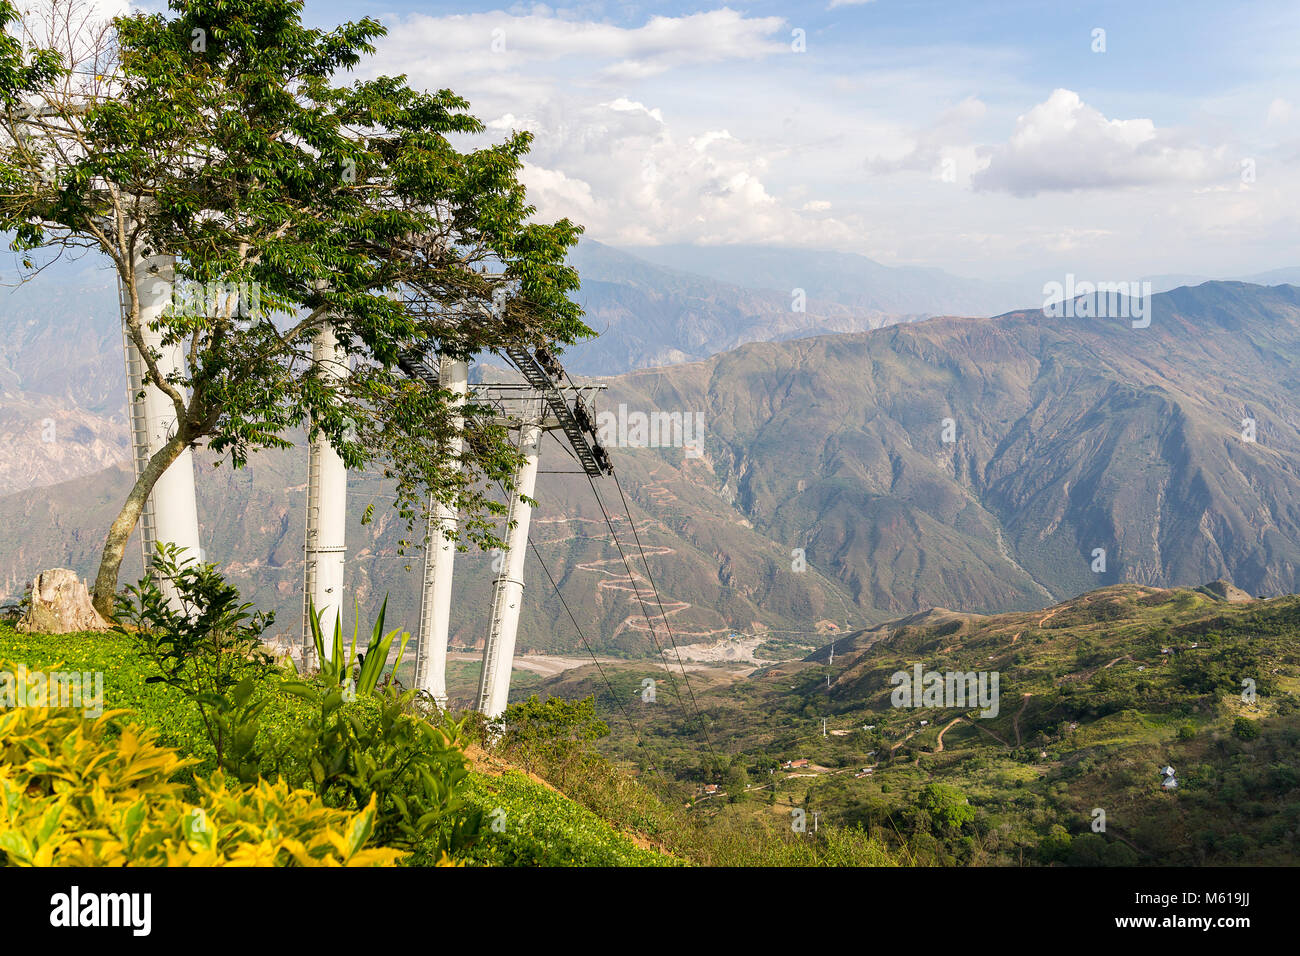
x=1064, y=145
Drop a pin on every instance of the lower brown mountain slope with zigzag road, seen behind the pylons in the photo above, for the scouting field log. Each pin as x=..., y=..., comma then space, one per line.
x=717, y=576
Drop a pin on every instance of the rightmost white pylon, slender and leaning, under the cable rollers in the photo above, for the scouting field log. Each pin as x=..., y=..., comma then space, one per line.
x=500, y=648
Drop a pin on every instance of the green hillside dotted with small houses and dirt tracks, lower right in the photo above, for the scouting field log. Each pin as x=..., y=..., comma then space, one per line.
x=1097, y=695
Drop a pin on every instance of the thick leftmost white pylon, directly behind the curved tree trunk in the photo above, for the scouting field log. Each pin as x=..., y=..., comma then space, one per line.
x=172, y=514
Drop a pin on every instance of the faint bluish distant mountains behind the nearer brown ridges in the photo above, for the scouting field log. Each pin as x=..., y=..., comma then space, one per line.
x=62, y=347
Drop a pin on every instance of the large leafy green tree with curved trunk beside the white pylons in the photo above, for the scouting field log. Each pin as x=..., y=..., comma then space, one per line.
x=216, y=133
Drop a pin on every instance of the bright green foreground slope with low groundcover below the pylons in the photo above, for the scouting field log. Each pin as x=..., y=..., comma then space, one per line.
x=582, y=811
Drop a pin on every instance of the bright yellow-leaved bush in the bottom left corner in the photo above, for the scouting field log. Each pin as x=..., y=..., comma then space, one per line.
x=85, y=793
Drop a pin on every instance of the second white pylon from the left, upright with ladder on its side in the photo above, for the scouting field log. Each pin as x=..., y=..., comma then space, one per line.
x=326, y=546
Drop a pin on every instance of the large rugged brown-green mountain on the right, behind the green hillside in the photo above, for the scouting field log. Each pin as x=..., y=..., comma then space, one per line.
x=1072, y=435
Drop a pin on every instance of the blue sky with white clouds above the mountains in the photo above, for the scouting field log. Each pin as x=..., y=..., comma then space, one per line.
x=1107, y=140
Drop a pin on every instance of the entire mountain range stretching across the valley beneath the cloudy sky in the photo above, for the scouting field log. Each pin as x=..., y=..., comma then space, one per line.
x=983, y=465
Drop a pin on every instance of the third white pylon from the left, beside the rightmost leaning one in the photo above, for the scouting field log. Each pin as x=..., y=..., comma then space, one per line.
x=431, y=664
